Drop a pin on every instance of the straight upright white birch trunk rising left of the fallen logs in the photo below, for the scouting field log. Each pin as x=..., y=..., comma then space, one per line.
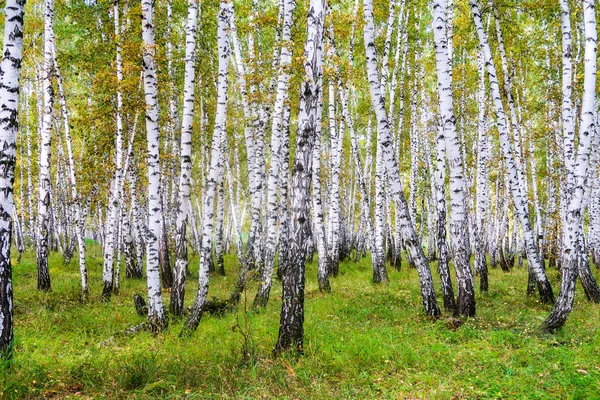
x=156, y=314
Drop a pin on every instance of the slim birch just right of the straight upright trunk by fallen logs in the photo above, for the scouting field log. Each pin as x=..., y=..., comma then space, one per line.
x=183, y=200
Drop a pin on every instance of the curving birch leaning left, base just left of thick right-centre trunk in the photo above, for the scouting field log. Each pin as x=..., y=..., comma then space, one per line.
x=408, y=232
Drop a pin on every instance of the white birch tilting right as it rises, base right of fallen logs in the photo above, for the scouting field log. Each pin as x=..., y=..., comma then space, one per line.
x=215, y=174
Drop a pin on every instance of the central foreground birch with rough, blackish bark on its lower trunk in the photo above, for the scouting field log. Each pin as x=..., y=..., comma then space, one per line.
x=291, y=326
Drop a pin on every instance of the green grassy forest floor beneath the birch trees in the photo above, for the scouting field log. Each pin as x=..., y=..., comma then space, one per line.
x=362, y=341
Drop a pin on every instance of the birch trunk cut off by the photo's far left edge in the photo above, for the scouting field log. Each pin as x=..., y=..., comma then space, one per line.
x=10, y=70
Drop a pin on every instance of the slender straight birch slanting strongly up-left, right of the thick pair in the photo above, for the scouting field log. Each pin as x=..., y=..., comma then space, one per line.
x=519, y=197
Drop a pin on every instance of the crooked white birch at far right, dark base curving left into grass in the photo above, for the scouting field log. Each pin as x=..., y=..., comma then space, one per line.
x=572, y=238
